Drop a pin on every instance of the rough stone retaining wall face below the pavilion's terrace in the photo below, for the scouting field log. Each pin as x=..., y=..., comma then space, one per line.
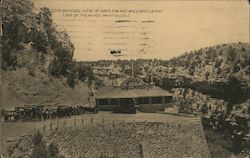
x=132, y=140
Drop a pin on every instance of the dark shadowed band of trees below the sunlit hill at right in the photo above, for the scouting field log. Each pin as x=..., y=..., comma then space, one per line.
x=234, y=91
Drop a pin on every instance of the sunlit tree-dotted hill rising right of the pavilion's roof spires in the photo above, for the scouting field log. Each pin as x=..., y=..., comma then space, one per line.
x=215, y=63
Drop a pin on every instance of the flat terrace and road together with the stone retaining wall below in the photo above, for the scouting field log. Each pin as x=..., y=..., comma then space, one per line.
x=86, y=139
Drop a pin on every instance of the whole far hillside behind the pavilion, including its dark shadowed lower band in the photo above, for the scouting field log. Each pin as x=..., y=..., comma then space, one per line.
x=221, y=71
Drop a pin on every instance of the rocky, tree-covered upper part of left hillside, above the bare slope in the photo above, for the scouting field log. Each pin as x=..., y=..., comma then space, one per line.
x=26, y=31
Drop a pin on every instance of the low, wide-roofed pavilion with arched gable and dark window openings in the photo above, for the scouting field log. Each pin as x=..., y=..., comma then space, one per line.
x=132, y=95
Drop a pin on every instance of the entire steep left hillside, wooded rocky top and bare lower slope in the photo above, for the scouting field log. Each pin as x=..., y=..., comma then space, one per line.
x=37, y=65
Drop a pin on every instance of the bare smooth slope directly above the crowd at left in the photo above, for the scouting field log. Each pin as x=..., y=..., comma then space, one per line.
x=20, y=88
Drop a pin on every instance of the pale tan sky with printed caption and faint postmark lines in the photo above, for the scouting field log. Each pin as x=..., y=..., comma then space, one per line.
x=127, y=29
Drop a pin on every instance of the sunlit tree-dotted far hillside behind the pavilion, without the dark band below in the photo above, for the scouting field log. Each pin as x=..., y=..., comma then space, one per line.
x=215, y=64
